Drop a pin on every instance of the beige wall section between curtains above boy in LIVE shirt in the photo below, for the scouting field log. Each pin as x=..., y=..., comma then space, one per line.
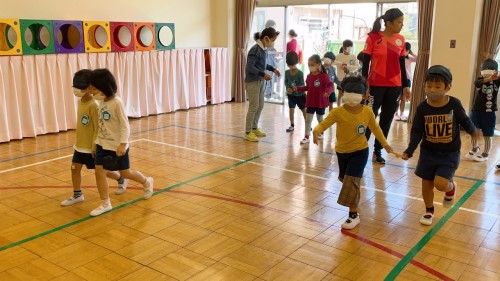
x=462, y=23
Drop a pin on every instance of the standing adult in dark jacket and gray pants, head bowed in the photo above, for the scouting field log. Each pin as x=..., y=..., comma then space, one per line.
x=254, y=80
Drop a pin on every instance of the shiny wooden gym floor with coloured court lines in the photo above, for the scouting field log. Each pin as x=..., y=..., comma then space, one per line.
x=228, y=209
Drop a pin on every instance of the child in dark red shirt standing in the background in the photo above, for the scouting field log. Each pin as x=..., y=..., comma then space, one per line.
x=318, y=87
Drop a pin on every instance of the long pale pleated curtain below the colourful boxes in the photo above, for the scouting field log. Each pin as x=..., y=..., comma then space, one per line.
x=36, y=96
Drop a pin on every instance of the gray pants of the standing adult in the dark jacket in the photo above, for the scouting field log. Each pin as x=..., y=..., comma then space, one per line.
x=255, y=93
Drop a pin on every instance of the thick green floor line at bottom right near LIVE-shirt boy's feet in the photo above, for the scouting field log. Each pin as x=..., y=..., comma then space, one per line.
x=428, y=236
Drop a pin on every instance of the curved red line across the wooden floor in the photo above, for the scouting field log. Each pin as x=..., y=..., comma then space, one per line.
x=347, y=233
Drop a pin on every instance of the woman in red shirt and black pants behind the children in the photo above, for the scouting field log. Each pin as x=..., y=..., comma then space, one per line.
x=384, y=68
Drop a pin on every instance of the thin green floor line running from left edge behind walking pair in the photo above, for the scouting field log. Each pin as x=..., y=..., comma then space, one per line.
x=20, y=242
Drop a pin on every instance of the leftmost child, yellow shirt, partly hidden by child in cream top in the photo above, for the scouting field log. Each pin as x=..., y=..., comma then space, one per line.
x=86, y=132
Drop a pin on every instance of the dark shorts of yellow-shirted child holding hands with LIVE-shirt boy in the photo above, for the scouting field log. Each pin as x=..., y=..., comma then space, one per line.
x=352, y=164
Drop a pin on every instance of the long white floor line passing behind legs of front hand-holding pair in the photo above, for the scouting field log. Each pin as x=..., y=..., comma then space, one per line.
x=312, y=176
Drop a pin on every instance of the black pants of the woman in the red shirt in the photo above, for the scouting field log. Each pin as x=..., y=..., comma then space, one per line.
x=387, y=100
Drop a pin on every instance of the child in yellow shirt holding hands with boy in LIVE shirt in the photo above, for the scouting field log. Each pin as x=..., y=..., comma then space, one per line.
x=351, y=146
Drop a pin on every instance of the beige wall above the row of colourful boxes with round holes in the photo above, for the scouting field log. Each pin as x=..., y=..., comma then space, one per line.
x=192, y=18
